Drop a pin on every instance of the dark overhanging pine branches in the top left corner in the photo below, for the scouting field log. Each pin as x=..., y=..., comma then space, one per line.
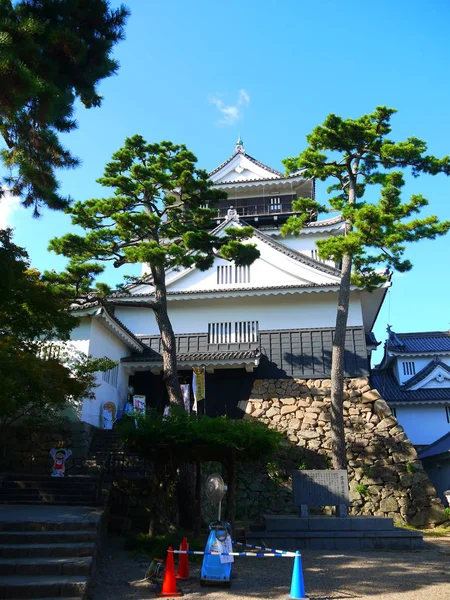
x=51, y=53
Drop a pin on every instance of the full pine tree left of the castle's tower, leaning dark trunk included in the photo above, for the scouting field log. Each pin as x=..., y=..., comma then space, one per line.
x=156, y=217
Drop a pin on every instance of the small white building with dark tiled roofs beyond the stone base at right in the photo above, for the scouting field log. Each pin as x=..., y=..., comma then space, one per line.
x=414, y=379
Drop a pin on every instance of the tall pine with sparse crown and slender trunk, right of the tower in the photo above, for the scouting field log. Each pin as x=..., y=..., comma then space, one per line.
x=356, y=154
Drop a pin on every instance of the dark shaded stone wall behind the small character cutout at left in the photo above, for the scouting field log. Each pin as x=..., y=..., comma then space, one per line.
x=27, y=449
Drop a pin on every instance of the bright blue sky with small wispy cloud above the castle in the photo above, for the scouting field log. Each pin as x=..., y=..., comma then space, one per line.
x=202, y=72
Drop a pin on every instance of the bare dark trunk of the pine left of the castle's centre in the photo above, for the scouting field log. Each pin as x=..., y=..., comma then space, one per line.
x=169, y=349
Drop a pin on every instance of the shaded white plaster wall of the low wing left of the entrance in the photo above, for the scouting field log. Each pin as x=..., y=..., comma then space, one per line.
x=104, y=343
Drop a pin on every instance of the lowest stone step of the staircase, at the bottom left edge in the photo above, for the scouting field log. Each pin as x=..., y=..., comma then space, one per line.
x=16, y=586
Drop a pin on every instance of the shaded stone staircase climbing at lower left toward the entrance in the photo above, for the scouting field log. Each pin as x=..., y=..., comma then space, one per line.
x=50, y=530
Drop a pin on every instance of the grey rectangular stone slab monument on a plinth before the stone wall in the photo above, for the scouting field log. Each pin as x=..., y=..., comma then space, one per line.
x=320, y=488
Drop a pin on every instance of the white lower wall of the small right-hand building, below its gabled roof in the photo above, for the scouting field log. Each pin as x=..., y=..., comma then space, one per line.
x=423, y=424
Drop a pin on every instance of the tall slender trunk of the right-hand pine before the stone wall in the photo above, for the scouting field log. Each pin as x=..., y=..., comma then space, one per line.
x=338, y=450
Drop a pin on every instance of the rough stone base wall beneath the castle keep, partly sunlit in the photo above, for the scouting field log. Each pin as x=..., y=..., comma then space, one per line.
x=385, y=476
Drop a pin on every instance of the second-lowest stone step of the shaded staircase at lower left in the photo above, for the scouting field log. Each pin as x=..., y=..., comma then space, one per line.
x=46, y=566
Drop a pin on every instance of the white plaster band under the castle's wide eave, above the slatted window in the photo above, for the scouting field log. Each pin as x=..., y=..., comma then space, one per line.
x=272, y=312
